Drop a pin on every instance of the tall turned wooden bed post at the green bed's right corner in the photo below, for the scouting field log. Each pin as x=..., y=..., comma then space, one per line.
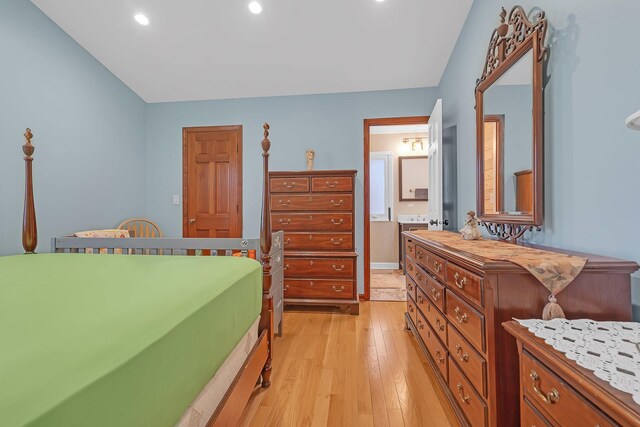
x=266, y=318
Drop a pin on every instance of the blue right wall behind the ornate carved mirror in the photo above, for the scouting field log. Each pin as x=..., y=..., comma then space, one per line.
x=592, y=161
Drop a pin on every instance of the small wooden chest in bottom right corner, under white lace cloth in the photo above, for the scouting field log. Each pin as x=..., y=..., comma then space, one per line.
x=554, y=390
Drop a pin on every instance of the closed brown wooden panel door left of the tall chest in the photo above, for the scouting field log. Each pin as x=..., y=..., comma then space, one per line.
x=212, y=193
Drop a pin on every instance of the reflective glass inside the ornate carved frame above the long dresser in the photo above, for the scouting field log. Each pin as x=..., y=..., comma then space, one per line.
x=508, y=141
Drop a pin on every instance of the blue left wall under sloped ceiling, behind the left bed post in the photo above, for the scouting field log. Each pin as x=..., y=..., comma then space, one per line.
x=88, y=126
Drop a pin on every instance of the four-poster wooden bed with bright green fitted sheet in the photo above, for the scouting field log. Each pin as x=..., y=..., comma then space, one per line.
x=90, y=339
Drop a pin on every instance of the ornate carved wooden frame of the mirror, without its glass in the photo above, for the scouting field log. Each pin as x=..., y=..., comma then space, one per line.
x=510, y=41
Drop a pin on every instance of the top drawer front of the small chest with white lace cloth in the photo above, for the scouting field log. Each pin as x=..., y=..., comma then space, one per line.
x=555, y=398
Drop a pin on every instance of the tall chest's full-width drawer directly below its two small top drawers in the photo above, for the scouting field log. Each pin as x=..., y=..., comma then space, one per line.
x=312, y=202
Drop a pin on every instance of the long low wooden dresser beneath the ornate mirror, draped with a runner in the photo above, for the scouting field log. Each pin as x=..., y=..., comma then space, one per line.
x=457, y=303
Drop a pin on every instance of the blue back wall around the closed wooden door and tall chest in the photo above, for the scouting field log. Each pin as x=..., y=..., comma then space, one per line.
x=332, y=125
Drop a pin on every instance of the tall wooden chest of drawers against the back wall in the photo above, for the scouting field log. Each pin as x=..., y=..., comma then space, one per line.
x=316, y=211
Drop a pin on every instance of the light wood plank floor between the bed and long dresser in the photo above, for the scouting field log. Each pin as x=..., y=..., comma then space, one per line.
x=333, y=369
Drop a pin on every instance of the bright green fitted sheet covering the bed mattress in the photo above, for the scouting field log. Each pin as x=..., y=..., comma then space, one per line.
x=117, y=340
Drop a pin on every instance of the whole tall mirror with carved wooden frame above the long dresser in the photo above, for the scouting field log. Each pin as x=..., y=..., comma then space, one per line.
x=509, y=126
